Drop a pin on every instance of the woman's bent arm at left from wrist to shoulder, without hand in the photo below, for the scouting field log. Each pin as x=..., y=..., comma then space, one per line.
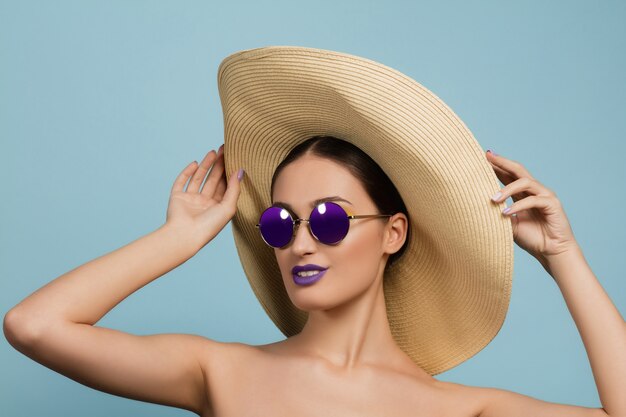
x=54, y=326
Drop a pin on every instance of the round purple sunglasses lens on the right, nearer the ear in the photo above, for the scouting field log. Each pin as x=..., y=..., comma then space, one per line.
x=329, y=223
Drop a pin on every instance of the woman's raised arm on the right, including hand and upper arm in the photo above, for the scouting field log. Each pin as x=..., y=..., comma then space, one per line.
x=540, y=227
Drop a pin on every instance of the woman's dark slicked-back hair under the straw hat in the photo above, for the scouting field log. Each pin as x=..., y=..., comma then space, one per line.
x=376, y=183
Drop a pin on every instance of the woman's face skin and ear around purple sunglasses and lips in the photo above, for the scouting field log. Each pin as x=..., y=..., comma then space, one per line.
x=354, y=264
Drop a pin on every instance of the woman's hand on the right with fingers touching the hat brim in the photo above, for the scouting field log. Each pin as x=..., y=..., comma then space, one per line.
x=540, y=225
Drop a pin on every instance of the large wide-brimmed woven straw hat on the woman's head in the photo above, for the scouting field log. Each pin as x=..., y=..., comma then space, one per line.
x=447, y=296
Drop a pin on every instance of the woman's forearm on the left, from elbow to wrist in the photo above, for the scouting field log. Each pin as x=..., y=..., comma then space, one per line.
x=86, y=293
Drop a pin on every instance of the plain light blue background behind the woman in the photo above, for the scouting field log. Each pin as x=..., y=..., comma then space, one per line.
x=102, y=104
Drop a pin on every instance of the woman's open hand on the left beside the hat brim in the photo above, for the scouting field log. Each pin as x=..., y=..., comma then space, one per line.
x=202, y=213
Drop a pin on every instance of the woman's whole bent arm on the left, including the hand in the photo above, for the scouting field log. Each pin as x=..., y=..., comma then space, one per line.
x=56, y=324
